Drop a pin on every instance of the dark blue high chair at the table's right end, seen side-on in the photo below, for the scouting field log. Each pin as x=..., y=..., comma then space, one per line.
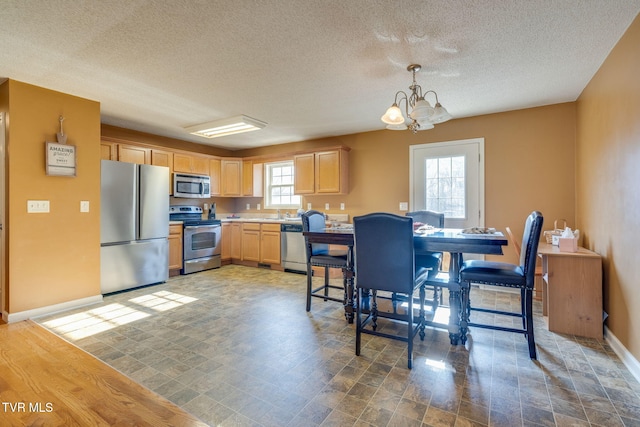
x=521, y=276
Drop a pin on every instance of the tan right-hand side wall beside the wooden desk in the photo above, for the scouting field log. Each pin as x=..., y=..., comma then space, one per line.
x=608, y=173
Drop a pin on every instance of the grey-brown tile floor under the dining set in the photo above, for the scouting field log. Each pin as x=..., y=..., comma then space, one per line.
x=234, y=347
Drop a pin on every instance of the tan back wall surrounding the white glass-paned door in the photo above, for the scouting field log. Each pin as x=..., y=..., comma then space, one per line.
x=529, y=164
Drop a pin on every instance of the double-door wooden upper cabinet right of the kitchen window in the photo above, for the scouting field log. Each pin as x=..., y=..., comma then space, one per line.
x=322, y=172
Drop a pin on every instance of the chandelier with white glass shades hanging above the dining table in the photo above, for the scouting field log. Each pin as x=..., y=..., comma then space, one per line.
x=423, y=116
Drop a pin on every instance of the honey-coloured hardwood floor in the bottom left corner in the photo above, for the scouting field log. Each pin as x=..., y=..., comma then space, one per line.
x=47, y=381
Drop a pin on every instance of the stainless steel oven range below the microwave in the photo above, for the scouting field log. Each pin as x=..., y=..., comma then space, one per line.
x=201, y=239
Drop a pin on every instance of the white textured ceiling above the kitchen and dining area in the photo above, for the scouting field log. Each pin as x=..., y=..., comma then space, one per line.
x=308, y=68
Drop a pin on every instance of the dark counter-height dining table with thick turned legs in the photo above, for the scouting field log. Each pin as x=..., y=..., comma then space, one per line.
x=452, y=240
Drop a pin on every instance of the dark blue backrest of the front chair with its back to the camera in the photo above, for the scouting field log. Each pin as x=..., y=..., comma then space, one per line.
x=384, y=254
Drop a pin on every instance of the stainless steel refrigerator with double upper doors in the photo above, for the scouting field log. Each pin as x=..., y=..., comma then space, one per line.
x=134, y=225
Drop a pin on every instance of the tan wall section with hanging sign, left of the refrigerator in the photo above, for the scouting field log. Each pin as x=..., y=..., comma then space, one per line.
x=52, y=257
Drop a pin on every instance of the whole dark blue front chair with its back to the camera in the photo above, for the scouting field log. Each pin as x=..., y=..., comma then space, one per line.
x=384, y=262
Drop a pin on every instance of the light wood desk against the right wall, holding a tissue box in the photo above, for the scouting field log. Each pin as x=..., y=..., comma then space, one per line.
x=572, y=291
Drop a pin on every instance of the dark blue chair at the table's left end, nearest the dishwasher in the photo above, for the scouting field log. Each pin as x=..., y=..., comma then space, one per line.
x=319, y=255
